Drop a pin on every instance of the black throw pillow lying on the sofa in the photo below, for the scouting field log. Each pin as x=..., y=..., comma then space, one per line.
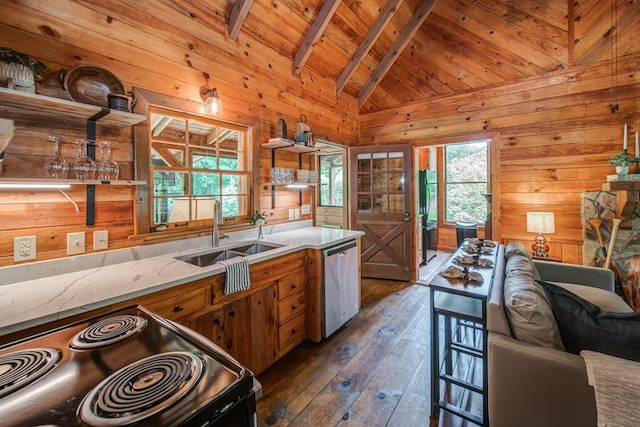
x=585, y=326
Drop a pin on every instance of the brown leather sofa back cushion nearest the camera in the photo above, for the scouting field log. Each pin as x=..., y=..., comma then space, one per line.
x=527, y=306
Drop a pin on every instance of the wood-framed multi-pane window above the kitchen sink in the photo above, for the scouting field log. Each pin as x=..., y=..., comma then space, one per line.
x=195, y=160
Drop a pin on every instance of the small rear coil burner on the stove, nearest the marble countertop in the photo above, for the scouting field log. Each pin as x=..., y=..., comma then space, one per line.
x=108, y=331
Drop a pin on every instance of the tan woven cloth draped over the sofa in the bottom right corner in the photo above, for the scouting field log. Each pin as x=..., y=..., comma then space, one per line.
x=616, y=384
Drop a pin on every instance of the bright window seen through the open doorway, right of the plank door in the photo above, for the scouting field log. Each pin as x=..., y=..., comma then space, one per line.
x=466, y=180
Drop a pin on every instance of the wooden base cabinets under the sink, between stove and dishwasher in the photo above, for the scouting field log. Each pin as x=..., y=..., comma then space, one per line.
x=257, y=326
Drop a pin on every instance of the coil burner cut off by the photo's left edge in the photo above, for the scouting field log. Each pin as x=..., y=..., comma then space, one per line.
x=23, y=367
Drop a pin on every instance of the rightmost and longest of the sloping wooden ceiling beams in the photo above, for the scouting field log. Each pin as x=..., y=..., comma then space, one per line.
x=397, y=48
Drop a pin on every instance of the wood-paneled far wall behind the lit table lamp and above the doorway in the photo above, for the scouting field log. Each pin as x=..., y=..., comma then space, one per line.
x=551, y=139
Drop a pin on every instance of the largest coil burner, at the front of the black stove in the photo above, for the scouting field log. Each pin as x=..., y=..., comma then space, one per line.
x=141, y=389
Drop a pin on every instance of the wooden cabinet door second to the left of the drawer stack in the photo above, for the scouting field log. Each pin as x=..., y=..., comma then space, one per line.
x=237, y=330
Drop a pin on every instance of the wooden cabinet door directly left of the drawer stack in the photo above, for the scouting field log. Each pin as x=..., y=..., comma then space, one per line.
x=264, y=331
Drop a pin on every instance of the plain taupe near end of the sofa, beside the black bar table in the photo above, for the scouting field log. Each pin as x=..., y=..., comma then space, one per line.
x=533, y=386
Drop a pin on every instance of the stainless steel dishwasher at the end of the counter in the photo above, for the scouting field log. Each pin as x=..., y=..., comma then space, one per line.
x=341, y=286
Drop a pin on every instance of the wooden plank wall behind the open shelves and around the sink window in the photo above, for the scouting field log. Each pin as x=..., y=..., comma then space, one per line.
x=152, y=51
